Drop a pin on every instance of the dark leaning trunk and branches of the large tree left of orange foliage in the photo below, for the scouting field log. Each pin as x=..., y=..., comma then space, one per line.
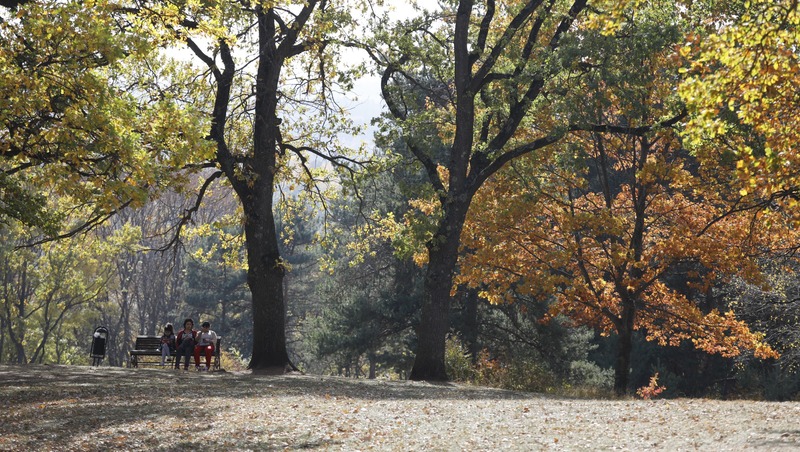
x=469, y=167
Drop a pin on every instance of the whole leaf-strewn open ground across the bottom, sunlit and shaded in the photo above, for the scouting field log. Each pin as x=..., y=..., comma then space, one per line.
x=84, y=408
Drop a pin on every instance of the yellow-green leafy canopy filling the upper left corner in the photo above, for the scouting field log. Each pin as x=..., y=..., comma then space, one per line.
x=90, y=114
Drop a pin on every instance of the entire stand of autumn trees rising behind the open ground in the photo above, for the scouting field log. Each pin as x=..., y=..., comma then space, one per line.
x=566, y=197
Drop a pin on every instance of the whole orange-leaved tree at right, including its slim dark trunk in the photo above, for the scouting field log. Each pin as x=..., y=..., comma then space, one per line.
x=622, y=228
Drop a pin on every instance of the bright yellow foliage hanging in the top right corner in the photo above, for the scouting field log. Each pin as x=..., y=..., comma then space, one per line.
x=741, y=82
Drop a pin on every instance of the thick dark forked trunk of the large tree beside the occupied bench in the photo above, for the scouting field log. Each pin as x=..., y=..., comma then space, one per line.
x=253, y=179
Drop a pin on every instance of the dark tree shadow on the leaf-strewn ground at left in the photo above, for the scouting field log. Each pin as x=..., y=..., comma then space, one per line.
x=47, y=406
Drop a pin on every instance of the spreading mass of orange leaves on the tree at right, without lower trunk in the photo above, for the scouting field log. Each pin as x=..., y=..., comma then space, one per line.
x=597, y=253
